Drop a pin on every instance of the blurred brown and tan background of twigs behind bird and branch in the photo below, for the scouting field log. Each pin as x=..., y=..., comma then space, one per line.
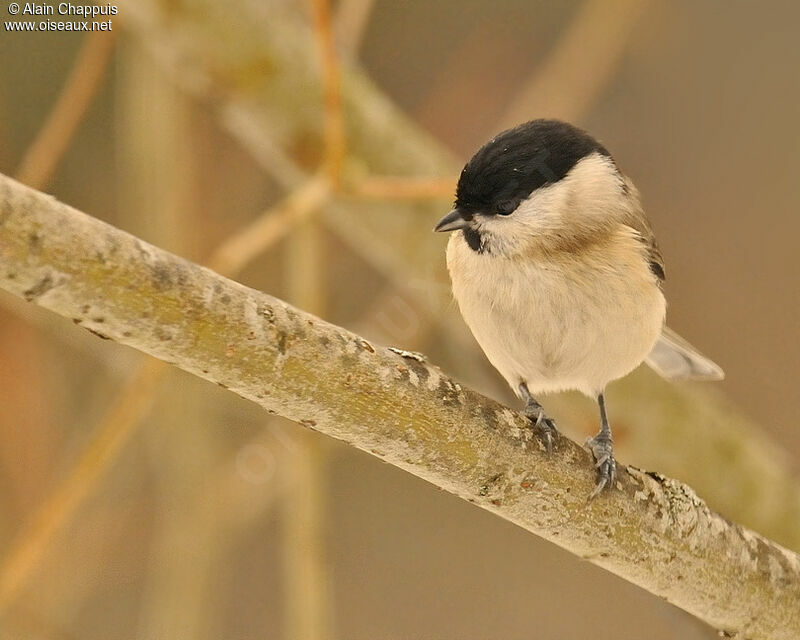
x=139, y=502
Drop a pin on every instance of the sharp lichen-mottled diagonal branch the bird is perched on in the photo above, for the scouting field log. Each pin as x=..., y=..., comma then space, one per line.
x=652, y=530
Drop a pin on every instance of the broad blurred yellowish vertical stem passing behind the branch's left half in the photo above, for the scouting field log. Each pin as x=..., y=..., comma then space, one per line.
x=158, y=142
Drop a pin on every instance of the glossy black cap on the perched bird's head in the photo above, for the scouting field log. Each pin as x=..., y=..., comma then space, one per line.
x=508, y=168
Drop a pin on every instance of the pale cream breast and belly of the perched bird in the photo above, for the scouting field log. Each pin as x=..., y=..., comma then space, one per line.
x=556, y=321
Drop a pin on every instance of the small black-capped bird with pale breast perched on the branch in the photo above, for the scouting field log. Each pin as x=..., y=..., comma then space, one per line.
x=558, y=275
